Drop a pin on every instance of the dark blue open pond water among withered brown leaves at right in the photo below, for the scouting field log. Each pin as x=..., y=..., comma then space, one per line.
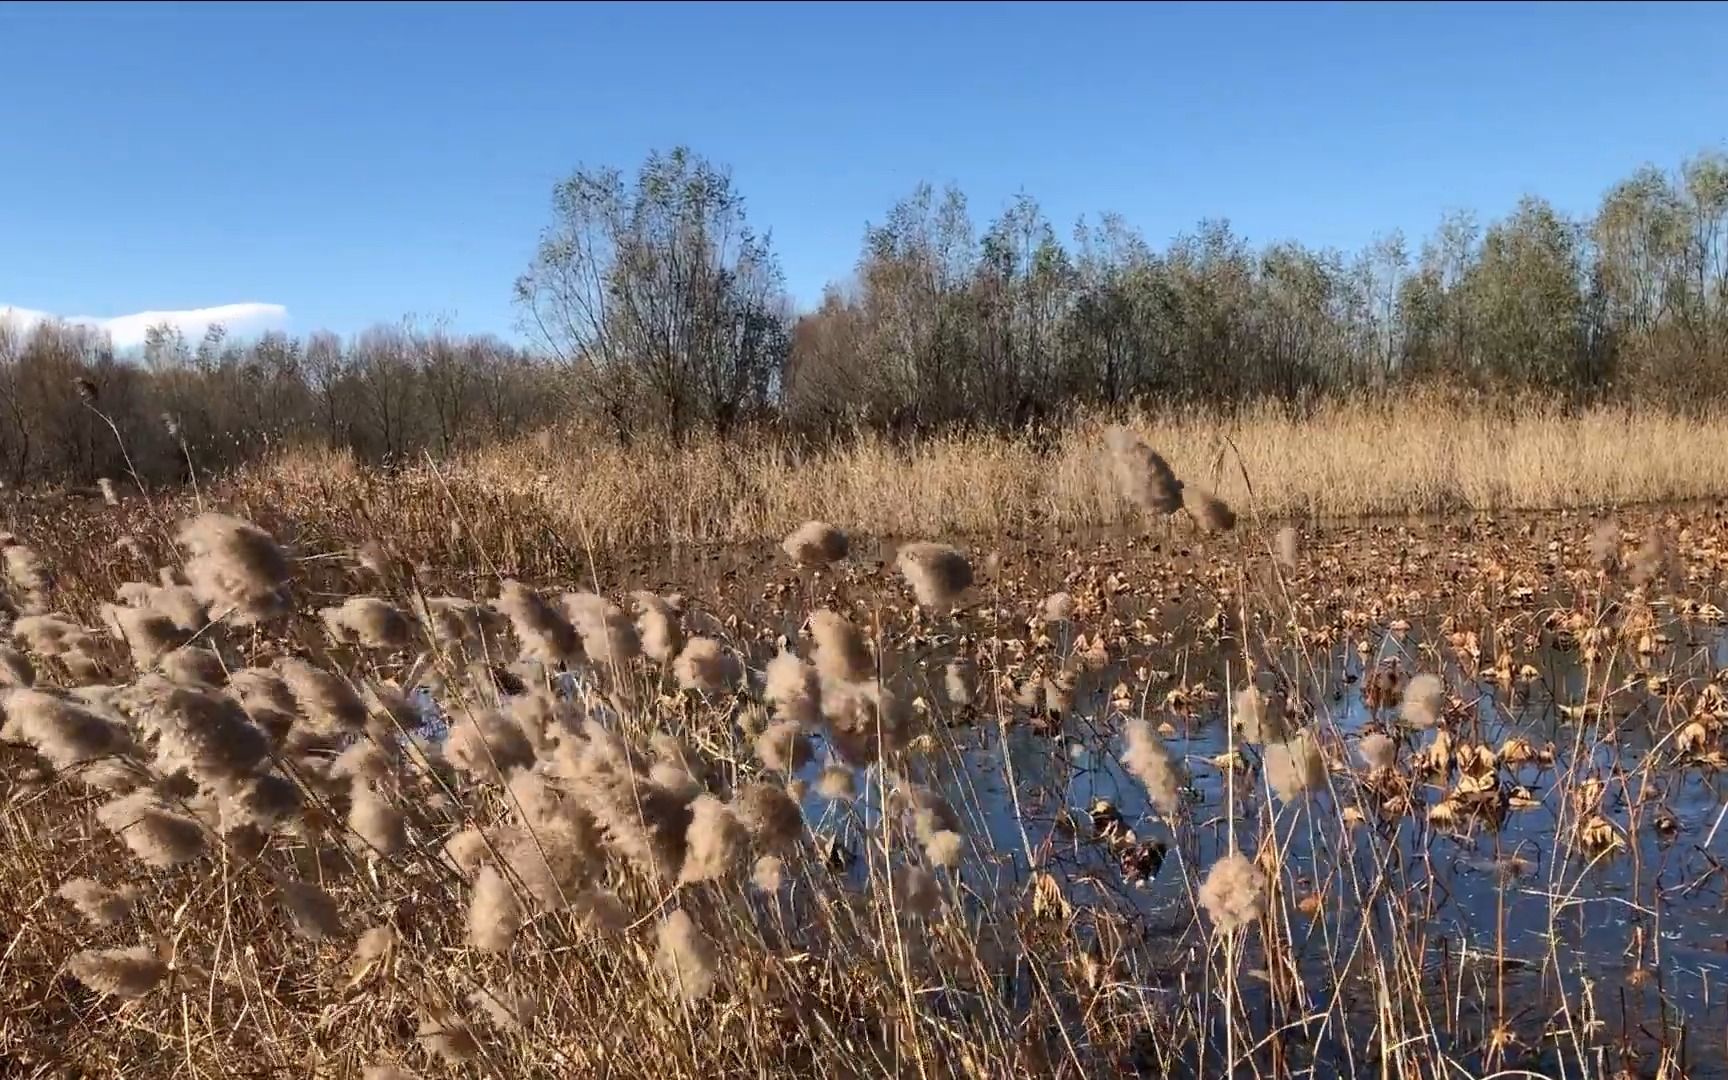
x=1649, y=917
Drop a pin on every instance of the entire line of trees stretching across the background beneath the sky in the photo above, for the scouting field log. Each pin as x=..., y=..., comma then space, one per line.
x=652, y=307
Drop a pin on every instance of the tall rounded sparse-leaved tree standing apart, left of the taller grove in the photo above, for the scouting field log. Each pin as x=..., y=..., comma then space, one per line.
x=659, y=296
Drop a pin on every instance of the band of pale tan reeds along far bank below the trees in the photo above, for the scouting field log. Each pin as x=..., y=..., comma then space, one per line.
x=1345, y=461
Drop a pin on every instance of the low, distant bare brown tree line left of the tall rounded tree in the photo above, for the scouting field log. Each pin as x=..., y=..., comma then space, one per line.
x=72, y=410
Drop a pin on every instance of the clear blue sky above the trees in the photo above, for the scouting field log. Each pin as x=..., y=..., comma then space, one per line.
x=364, y=163
